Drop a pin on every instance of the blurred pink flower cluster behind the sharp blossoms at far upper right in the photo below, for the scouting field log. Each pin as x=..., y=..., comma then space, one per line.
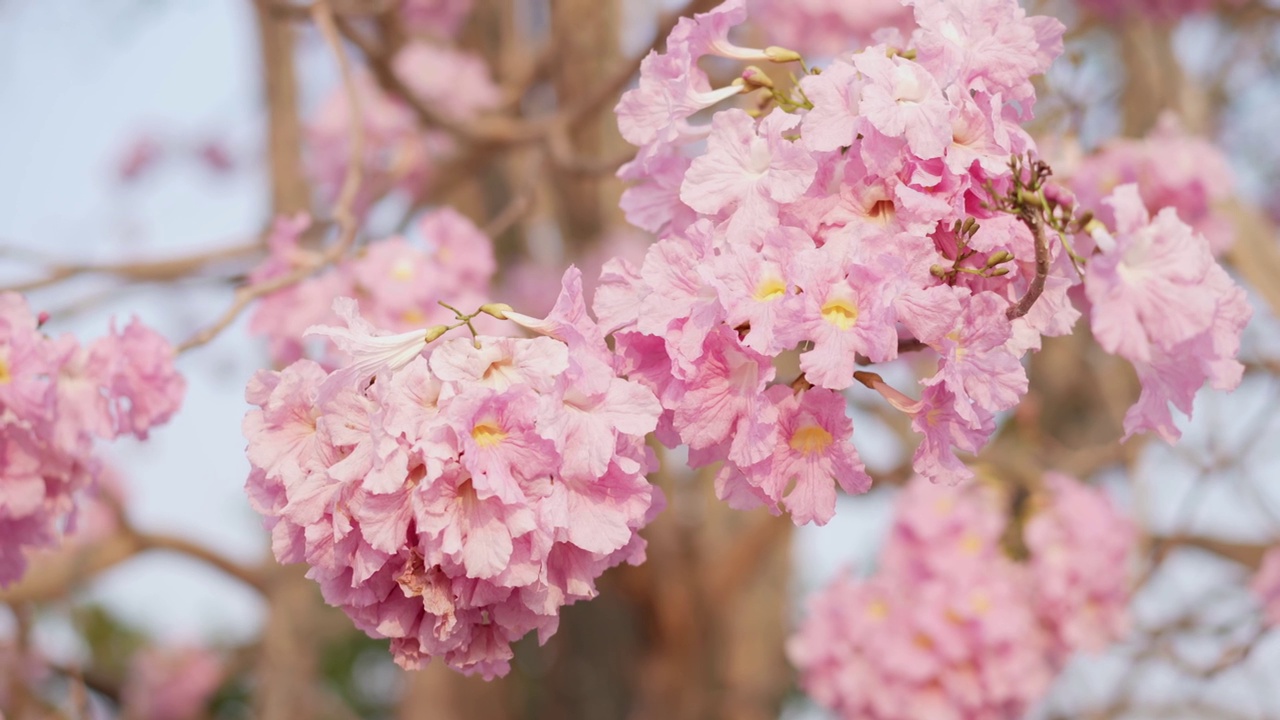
x=1173, y=170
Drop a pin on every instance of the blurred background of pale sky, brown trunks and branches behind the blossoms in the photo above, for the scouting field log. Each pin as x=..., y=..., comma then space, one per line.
x=148, y=145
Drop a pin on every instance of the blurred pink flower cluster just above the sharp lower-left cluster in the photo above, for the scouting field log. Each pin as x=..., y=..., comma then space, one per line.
x=399, y=284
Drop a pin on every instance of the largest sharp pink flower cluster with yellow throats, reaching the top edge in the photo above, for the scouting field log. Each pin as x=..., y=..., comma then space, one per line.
x=881, y=204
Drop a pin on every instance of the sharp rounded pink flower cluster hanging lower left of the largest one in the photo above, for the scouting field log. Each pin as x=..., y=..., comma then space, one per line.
x=455, y=496
